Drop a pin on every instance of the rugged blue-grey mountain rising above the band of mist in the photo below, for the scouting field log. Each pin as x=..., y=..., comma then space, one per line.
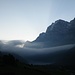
x=58, y=33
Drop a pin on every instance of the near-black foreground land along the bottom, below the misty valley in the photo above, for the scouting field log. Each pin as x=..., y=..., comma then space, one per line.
x=11, y=66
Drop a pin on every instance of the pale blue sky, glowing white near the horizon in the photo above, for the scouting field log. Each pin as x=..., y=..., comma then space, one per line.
x=26, y=19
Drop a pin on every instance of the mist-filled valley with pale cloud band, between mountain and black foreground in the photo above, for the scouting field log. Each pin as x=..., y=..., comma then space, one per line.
x=35, y=55
